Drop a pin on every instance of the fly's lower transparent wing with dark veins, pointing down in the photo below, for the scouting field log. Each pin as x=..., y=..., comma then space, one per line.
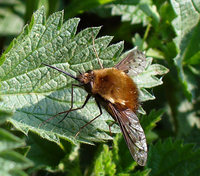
x=132, y=132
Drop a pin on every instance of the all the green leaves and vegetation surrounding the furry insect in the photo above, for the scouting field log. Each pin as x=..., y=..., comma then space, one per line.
x=168, y=31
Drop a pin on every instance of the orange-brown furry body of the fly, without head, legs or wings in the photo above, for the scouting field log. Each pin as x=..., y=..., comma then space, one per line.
x=117, y=87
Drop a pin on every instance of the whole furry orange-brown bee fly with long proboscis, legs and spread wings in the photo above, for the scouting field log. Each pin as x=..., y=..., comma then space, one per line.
x=114, y=90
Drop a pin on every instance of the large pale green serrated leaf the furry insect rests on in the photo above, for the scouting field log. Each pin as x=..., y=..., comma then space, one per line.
x=35, y=93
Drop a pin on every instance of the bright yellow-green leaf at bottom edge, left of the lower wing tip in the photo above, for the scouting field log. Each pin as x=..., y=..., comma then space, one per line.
x=116, y=161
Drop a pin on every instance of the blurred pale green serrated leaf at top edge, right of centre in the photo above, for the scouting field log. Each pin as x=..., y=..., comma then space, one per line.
x=136, y=12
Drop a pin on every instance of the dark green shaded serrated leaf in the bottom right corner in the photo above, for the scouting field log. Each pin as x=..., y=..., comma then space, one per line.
x=173, y=158
